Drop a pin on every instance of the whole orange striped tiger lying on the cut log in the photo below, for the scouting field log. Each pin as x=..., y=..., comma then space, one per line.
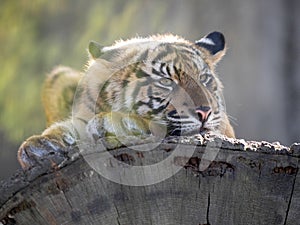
x=162, y=85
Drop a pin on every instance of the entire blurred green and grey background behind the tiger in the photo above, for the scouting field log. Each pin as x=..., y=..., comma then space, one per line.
x=261, y=71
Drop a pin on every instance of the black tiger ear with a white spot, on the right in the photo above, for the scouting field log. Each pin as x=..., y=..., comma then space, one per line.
x=214, y=43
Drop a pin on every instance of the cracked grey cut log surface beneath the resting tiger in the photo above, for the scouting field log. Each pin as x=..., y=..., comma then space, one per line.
x=194, y=180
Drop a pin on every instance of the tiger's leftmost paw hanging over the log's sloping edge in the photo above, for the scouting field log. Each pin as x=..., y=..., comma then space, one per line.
x=42, y=151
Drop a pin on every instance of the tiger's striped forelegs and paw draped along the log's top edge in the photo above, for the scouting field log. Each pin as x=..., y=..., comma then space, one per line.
x=117, y=129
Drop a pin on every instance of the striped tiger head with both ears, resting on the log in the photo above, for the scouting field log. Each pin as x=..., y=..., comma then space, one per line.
x=164, y=78
